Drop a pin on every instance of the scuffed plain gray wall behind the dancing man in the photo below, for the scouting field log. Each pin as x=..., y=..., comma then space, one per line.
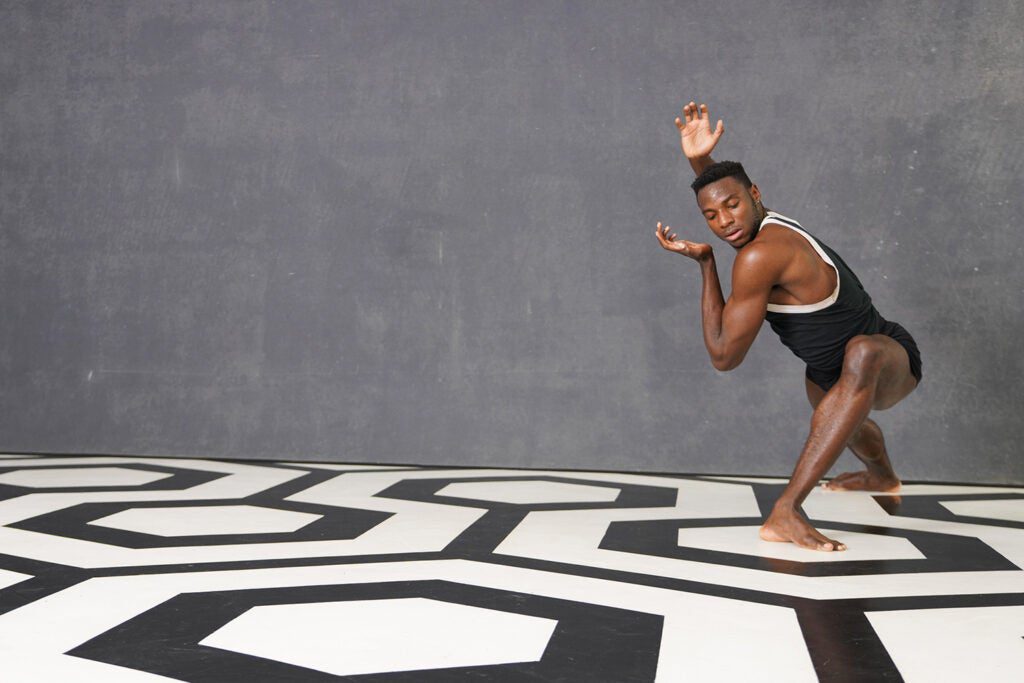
x=423, y=232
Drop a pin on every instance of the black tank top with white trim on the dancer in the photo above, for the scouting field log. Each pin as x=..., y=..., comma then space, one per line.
x=818, y=333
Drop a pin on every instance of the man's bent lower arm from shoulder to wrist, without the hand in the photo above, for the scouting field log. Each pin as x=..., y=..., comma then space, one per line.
x=731, y=327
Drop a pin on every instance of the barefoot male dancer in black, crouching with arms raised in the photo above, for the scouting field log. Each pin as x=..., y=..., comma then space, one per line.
x=857, y=360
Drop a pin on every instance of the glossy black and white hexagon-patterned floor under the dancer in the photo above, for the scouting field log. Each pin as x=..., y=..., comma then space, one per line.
x=119, y=569
